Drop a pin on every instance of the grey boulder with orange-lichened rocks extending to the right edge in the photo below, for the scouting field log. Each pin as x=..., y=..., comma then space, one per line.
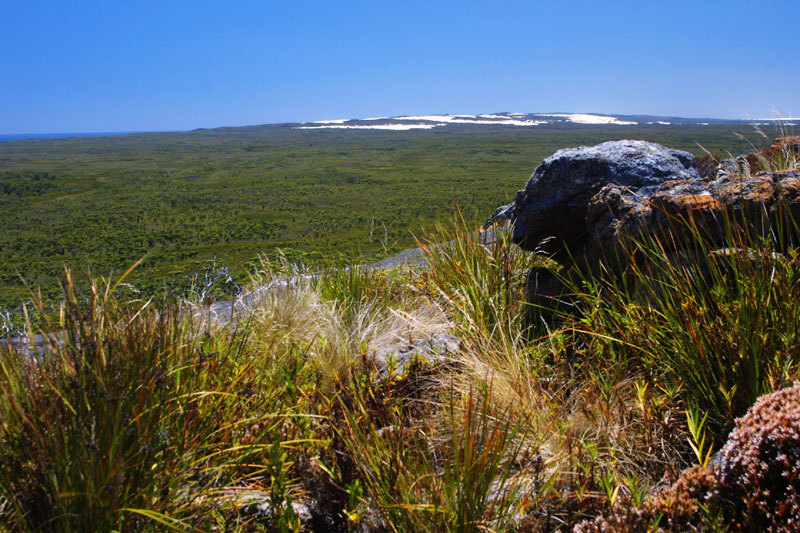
x=586, y=201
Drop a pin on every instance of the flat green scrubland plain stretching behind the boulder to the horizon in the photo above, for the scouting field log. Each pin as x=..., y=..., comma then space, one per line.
x=184, y=201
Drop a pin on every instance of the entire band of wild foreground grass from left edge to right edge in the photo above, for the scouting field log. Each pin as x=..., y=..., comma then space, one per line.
x=306, y=414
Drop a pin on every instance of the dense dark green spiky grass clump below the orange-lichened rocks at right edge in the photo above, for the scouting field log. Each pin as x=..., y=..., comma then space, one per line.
x=722, y=324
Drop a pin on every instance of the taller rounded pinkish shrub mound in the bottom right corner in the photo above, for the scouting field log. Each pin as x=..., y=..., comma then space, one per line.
x=759, y=470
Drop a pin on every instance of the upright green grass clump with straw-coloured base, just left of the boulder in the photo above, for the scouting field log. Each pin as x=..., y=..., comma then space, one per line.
x=479, y=281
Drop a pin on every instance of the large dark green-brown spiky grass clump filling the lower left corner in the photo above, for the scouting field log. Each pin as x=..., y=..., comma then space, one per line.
x=130, y=418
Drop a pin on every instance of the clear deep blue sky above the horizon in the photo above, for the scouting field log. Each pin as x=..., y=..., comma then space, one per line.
x=141, y=65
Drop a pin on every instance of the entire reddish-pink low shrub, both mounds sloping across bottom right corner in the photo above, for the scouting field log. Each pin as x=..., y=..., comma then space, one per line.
x=754, y=487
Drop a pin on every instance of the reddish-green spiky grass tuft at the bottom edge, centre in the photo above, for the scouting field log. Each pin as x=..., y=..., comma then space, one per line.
x=463, y=483
